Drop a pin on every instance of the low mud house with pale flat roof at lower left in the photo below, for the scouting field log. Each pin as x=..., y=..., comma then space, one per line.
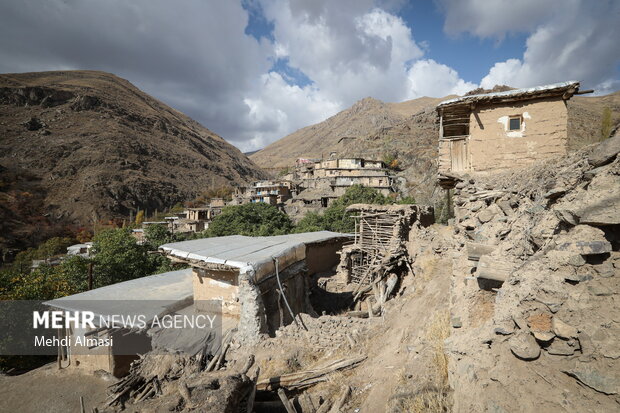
x=149, y=297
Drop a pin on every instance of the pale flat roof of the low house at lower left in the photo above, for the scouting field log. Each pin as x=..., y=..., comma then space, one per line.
x=151, y=295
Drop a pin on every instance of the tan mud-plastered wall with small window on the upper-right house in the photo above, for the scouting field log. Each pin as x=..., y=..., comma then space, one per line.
x=492, y=147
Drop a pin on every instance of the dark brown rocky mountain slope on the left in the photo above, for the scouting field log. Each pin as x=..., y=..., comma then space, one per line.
x=94, y=146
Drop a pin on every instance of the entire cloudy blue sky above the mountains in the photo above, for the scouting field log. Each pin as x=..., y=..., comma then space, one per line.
x=254, y=71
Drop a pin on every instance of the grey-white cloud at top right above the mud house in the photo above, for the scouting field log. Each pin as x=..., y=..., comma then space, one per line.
x=568, y=40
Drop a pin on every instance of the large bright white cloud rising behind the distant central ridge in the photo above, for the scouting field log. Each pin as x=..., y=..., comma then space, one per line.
x=350, y=50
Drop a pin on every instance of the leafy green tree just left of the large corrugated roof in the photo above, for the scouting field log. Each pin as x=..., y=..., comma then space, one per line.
x=118, y=257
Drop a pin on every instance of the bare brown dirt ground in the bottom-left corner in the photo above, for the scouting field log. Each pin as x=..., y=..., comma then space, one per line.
x=48, y=390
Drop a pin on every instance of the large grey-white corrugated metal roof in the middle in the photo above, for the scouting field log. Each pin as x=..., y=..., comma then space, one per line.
x=240, y=251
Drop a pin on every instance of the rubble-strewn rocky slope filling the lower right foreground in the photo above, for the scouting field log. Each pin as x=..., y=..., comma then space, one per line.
x=513, y=307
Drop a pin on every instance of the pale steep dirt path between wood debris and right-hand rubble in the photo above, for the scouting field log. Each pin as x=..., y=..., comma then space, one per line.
x=401, y=353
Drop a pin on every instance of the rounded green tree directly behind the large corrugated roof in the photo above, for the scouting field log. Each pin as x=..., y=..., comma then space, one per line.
x=255, y=219
